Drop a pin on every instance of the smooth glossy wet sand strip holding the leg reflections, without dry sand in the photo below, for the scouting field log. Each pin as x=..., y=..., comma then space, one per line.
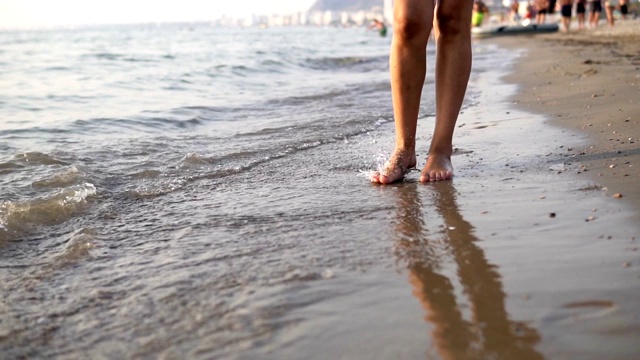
x=481, y=268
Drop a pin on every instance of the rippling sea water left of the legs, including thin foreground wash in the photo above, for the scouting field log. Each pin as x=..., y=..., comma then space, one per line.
x=163, y=187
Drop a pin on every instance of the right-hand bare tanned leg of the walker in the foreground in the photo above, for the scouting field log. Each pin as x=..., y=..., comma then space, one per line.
x=453, y=66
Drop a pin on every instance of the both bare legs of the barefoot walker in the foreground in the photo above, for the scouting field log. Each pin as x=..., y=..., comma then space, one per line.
x=413, y=22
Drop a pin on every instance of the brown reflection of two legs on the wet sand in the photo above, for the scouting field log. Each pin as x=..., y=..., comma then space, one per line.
x=490, y=333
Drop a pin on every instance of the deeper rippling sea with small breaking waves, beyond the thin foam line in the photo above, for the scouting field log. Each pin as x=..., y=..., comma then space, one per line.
x=113, y=114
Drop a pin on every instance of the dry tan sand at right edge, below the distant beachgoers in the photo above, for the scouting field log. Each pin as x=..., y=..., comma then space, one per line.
x=589, y=81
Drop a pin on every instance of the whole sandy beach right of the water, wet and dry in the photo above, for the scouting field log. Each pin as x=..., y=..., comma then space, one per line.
x=526, y=253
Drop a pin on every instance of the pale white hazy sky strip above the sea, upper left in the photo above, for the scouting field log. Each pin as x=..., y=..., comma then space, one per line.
x=30, y=13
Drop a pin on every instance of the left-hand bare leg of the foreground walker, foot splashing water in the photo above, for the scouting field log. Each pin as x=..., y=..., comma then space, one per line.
x=413, y=21
